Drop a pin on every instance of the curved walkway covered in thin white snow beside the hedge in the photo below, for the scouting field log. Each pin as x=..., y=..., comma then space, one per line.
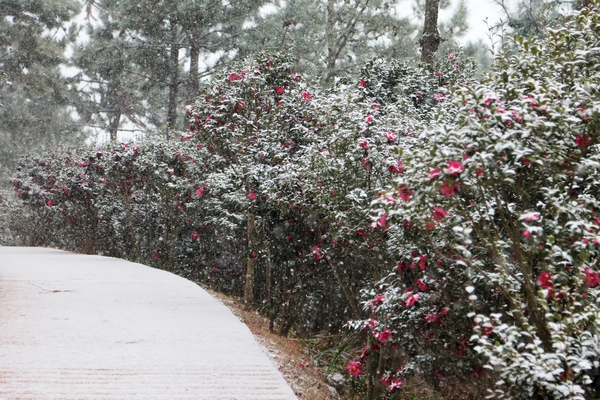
x=87, y=327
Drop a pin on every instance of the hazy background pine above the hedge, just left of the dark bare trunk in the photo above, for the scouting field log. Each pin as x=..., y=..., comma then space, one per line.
x=332, y=38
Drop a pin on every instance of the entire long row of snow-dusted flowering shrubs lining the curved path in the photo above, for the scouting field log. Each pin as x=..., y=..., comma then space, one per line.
x=480, y=197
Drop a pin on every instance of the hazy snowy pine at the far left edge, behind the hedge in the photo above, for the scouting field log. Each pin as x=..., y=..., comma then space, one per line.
x=35, y=99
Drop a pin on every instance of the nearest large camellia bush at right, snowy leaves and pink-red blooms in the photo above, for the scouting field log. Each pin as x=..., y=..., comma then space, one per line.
x=495, y=220
